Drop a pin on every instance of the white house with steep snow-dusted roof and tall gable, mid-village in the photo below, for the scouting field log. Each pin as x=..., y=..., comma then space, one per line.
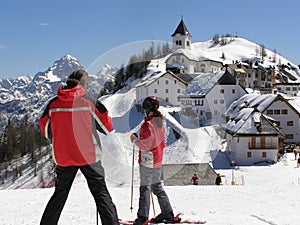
x=209, y=95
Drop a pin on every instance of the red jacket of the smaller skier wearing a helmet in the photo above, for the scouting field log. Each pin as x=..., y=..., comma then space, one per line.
x=151, y=142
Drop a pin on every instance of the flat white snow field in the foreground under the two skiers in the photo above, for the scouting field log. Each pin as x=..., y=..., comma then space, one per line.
x=263, y=195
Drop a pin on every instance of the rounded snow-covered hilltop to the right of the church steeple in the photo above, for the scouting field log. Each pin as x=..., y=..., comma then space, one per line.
x=243, y=50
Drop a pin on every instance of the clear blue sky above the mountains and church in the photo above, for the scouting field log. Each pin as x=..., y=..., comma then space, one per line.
x=35, y=33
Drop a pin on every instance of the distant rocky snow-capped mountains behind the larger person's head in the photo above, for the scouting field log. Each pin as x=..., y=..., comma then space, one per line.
x=28, y=95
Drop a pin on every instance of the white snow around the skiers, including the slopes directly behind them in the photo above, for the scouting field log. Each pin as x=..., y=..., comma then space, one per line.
x=263, y=194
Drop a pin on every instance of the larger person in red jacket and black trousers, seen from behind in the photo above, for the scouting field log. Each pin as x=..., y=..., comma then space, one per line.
x=71, y=121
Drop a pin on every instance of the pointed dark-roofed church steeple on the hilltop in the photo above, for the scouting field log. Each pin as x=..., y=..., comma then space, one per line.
x=181, y=37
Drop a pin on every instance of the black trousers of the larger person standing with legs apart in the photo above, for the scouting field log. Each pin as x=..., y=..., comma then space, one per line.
x=94, y=175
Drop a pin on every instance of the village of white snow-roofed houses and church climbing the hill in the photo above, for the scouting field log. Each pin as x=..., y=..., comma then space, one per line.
x=256, y=98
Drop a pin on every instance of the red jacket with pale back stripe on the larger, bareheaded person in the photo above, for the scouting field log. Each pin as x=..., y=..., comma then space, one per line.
x=70, y=121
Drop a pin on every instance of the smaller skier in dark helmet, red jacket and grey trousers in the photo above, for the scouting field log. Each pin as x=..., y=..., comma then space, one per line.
x=151, y=143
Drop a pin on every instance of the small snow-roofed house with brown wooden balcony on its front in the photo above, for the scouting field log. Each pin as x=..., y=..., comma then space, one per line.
x=252, y=137
